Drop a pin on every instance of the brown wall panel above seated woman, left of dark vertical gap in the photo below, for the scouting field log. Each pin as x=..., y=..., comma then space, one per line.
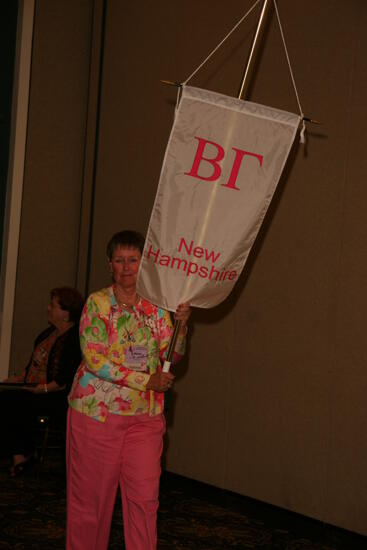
x=54, y=164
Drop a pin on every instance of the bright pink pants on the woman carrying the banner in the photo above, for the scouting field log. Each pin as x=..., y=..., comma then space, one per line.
x=124, y=450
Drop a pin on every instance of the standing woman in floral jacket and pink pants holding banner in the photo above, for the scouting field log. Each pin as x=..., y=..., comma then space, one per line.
x=115, y=422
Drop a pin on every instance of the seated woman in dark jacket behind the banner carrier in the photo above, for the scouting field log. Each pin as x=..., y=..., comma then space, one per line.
x=50, y=371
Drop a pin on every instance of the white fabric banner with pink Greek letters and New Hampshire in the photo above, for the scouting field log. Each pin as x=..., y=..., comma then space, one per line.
x=222, y=164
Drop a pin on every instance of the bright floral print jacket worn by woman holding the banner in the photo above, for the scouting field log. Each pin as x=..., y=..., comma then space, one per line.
x=120, y=352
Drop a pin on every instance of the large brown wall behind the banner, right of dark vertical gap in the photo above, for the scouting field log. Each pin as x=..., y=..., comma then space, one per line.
x=261, y=406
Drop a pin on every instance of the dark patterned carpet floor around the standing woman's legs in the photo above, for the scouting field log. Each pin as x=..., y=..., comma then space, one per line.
x=192, y=515
